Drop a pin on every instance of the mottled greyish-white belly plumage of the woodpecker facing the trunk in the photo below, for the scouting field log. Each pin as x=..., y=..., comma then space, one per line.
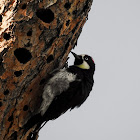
x=55, y=86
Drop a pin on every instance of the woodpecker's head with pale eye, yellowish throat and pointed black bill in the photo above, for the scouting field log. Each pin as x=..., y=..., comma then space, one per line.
x=84, y=62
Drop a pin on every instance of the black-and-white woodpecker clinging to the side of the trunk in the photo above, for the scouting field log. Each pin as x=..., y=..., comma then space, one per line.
x=69, y=88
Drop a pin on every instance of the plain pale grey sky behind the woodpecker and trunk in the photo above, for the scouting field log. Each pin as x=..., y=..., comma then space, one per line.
x=112, y=112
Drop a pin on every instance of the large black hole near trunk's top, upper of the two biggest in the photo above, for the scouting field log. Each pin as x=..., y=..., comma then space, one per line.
x=46, y=15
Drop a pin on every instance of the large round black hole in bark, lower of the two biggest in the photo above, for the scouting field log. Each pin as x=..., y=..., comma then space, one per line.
x=22, y=55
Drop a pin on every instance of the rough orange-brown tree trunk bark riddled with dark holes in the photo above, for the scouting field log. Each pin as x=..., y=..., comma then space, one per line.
x=35, y=37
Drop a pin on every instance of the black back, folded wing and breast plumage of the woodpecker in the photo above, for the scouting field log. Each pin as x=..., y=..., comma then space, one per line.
x=74, y=96
